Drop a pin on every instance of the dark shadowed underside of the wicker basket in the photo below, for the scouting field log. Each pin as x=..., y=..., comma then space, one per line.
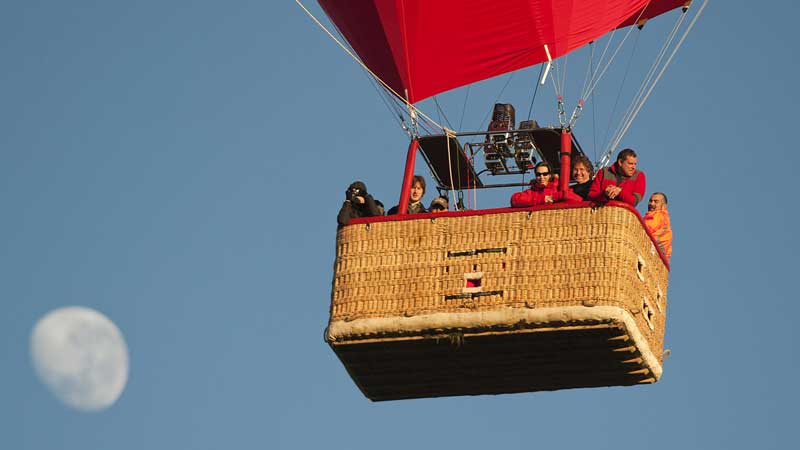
x=495, y=362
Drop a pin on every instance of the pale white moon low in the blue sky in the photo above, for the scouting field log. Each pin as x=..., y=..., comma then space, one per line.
x=81, y=356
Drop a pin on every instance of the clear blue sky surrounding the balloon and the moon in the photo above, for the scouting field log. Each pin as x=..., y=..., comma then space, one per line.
x=179, y=168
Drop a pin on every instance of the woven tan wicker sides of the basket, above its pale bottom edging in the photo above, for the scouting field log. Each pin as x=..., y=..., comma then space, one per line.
x=528, y=259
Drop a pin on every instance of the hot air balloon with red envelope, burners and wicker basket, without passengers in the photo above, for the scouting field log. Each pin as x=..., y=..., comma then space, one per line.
x=491, y=301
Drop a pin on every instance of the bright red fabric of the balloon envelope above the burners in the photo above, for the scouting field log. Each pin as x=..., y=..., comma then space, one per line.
x=430, y=46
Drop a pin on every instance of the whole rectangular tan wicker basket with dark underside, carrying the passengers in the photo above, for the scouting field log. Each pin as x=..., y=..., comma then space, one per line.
x=498, y=301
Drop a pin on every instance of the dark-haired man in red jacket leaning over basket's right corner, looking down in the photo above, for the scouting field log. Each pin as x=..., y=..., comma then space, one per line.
x=621, y=181
